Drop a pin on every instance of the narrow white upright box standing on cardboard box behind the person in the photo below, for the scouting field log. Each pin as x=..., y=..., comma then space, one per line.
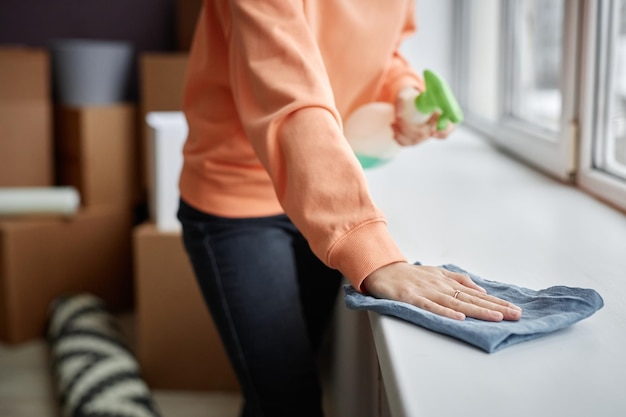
x=168, y=131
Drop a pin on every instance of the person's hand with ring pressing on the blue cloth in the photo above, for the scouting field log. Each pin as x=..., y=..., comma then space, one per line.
x=439, y=291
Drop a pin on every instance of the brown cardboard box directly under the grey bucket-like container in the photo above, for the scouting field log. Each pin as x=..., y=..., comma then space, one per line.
x=97, y=153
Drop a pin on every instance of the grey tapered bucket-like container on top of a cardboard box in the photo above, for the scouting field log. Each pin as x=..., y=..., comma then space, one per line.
x=91, y=72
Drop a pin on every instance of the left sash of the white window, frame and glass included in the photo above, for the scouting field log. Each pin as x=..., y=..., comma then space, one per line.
x=517, y=77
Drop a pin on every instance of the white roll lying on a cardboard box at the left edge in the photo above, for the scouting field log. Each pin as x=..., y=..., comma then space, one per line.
x=38, y=200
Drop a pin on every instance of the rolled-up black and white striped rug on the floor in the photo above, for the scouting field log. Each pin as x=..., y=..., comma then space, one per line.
x=95, y=373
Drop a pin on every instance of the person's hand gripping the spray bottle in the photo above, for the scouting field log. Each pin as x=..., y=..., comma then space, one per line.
x=409, y=133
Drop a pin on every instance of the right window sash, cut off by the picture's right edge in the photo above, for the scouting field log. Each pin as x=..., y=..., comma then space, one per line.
x=603, y=110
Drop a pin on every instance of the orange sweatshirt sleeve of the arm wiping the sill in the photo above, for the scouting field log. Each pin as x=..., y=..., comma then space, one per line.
x=286, y=106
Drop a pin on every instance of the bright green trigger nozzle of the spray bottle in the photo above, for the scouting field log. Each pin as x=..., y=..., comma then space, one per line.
x=439, y=97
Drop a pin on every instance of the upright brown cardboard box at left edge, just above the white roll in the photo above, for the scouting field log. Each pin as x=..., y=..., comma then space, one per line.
x=26, y=150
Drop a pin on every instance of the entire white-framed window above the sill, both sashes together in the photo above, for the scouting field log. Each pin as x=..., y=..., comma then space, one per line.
x=545, y=80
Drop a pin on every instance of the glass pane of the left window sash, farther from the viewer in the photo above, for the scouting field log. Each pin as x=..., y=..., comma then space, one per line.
x=536, y=62
